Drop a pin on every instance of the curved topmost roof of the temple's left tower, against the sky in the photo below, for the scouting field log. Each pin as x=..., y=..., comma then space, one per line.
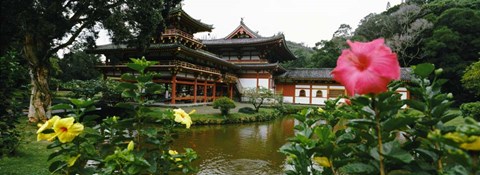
x=192, y=23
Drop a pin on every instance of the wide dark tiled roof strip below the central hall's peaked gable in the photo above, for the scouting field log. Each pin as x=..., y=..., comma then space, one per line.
x=242, y=41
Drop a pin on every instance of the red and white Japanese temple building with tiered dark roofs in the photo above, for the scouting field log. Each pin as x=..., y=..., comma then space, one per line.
x=199, y=71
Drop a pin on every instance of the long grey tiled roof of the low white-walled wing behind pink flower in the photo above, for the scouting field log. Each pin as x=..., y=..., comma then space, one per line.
x=324, y=74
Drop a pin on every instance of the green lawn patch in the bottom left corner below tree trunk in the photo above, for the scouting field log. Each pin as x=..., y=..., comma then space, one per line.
x=31, y=156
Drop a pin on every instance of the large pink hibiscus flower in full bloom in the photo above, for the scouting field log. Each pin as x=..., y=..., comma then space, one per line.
x=366, y=67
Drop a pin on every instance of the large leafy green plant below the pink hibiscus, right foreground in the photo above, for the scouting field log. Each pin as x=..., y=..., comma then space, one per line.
x=375, y=135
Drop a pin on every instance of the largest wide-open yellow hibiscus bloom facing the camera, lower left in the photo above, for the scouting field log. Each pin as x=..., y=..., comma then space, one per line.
x=66, y=130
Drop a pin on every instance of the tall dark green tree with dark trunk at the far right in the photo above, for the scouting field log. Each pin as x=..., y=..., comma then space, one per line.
x=453, y=45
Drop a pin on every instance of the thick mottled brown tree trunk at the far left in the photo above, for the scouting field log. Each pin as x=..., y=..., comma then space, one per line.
x=41, y=99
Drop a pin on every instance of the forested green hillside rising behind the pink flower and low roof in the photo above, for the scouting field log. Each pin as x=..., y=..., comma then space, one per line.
x=443, y=32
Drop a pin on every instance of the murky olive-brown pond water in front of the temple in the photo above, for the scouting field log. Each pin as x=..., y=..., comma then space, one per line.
x=238, y=148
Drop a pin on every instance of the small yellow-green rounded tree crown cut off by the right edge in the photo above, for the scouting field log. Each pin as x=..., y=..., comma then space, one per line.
x=471, y=78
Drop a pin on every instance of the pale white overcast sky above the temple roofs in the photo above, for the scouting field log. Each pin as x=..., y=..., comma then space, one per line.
x=301, y=21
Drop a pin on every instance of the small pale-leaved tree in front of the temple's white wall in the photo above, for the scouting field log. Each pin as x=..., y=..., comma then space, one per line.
x=257, y=96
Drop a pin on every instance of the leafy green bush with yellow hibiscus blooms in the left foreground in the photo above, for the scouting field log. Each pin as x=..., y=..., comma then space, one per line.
x=138, y=143
